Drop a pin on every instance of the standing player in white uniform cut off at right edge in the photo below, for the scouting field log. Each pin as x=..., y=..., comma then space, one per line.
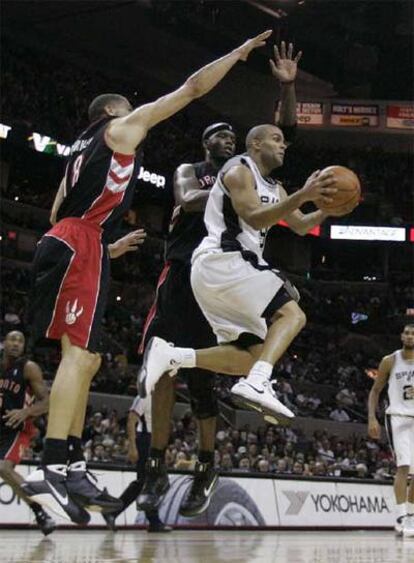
x=397, y=370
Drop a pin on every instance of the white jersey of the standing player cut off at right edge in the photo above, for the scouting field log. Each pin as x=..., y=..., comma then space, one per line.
x=401, y=386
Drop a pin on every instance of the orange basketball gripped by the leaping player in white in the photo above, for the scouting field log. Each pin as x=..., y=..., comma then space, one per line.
x=348, y=194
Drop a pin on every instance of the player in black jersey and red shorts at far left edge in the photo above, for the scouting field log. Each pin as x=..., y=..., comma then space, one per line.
x=21, y=381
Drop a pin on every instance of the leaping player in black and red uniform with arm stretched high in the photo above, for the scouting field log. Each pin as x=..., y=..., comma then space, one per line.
x=71, y=273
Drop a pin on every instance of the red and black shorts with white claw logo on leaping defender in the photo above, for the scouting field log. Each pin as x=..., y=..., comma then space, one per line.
x=70, y=285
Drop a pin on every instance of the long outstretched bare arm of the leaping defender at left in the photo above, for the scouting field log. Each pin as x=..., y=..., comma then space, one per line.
x=126, y=133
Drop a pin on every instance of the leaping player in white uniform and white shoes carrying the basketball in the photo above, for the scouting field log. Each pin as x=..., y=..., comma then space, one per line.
x=238, y=292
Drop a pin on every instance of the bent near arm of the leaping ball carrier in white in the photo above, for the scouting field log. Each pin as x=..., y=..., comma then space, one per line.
x=241, y=185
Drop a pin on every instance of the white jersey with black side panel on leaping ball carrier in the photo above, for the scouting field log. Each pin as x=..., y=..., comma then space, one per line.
x=226, y=231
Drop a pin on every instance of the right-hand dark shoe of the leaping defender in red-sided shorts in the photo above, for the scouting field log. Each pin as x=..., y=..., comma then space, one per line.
x=83, y=487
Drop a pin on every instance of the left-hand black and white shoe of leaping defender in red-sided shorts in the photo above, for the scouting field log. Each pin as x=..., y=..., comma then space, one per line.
x=47, y=486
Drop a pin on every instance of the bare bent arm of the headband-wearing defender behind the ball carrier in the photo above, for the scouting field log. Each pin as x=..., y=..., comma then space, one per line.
x=187, y=191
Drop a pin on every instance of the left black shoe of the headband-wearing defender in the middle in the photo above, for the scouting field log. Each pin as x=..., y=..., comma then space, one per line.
x=156, y=484
